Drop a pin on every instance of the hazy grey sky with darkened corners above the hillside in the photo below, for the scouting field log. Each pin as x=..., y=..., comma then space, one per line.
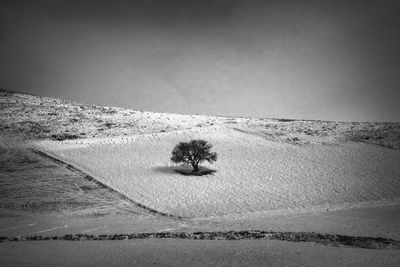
x=334, y=60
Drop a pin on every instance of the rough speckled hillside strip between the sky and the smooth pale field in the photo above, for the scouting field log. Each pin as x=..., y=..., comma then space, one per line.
x=34, y=117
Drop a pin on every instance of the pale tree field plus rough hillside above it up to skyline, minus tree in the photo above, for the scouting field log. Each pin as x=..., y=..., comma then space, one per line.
x=264, y=164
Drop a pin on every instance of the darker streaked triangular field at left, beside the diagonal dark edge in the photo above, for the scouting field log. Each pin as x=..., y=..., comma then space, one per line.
x=31, y=182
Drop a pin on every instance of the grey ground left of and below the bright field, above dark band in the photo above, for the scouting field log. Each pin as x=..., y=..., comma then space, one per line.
x=41, y=196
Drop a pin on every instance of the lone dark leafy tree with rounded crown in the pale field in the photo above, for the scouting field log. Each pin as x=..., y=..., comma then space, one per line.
x=193, y=153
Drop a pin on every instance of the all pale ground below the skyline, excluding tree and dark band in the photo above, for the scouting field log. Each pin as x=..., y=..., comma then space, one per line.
x=273, y=175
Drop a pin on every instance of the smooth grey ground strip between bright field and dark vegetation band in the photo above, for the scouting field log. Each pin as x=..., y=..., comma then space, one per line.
x=378, y=221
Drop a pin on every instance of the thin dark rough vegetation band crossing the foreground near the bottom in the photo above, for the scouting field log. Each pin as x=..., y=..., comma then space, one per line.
x=326, y=239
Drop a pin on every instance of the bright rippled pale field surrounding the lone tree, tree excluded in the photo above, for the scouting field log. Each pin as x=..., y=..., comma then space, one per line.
x=255, y=176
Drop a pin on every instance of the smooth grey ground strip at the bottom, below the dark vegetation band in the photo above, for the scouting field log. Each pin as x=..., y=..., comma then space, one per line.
x=175, y=252
